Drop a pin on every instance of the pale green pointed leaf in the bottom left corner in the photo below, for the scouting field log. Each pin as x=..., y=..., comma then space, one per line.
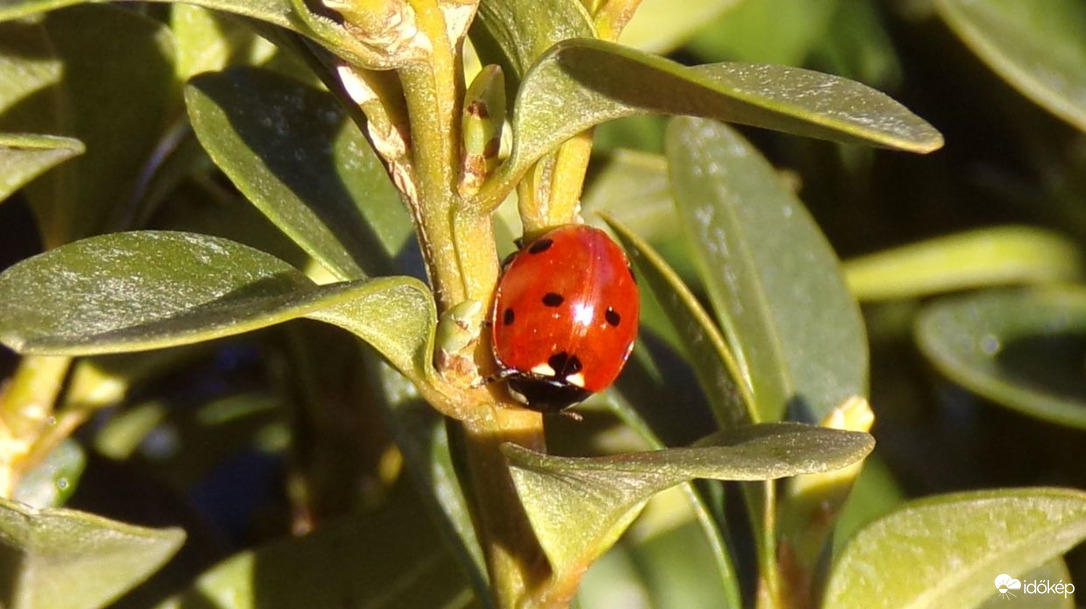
x=67, y=560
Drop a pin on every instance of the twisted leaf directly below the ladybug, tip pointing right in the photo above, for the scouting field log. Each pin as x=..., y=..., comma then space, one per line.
x=580, y=506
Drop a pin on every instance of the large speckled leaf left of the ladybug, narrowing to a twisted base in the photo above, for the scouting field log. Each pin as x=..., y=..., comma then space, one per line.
x=136, y=291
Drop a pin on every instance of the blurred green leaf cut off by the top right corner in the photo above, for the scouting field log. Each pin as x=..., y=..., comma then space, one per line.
x=1040, y=48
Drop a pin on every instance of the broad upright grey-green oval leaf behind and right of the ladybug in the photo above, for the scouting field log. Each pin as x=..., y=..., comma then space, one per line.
x=771, y=273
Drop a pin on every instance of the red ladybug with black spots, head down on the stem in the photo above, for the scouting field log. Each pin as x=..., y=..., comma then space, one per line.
x=565, y=318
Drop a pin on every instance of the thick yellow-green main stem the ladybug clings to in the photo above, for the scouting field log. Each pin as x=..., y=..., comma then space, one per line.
x=462, y=259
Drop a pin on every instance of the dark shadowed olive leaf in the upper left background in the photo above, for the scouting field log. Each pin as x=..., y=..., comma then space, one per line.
x=109, y=57
